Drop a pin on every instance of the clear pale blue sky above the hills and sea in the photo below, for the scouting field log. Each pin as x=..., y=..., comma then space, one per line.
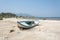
x=38, y=8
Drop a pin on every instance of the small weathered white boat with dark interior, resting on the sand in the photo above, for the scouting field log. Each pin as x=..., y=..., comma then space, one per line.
x=27, y=24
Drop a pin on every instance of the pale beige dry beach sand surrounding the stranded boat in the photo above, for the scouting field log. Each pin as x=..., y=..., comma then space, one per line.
x=47, y=30
